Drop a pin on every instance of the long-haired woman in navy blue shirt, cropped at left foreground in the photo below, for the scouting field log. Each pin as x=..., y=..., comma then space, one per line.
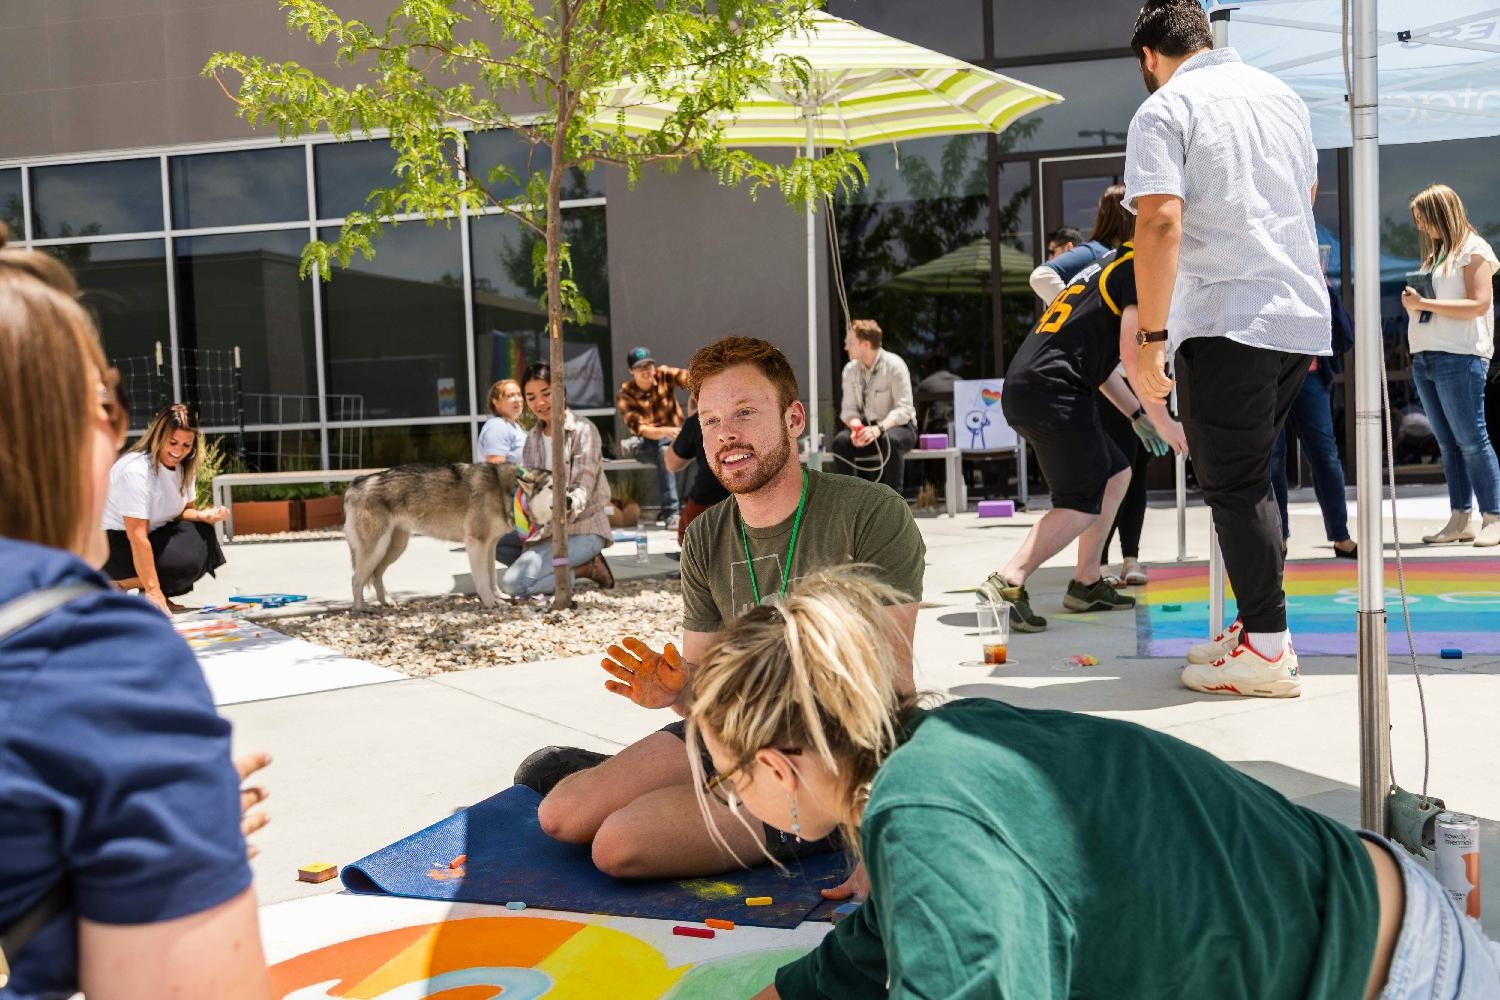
x=116, y=782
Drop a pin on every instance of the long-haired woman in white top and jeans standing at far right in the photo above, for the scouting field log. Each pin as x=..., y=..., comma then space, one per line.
x=1453, y=338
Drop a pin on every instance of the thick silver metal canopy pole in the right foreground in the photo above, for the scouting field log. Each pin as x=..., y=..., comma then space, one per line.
x=1375, y=698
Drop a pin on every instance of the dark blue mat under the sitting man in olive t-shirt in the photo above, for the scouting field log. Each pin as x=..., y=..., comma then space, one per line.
x=512, y=860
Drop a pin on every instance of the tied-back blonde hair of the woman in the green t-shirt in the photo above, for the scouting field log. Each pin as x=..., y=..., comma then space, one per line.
x=814, y=669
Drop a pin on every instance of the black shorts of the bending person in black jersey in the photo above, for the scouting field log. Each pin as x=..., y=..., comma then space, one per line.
x=1070, y=445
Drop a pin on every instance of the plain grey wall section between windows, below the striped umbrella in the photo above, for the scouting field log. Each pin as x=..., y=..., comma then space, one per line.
x=692, y=262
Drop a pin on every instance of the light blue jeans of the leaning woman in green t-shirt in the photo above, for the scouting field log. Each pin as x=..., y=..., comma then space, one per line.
x=1441, y=953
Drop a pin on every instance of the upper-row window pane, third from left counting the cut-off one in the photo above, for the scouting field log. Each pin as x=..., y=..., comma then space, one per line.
x=238, y=190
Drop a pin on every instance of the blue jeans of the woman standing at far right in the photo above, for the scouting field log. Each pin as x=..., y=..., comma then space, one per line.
x=1453, y=394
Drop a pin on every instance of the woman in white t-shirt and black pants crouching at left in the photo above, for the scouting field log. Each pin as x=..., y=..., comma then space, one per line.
x=160, y=542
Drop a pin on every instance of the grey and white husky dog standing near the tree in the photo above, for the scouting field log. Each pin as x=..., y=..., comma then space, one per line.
x=475, y=504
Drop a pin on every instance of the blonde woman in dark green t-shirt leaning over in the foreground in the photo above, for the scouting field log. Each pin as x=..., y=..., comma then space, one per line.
x=1037, y=854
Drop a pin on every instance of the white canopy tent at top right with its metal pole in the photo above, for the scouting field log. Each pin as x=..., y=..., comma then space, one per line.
x=1372, y=71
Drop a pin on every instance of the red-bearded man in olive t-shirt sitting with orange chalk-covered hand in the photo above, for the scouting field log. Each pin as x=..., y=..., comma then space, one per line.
x=640, y=809
